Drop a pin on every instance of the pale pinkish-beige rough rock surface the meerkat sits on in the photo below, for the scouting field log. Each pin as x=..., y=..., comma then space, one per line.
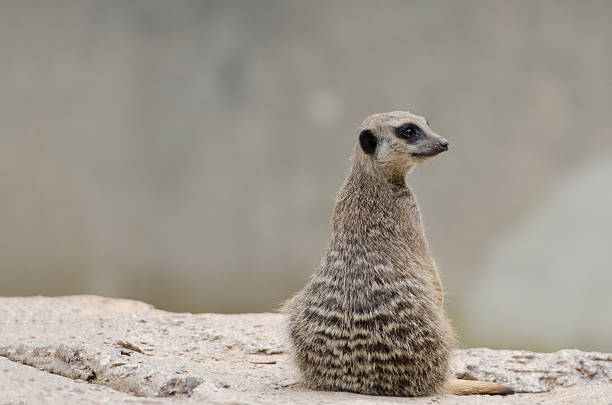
x=87, y=349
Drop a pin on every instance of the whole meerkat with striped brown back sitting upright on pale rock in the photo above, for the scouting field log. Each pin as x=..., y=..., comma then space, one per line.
x=371, y=319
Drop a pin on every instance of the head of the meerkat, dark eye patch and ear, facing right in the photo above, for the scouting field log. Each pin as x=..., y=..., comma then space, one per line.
x=395, y=142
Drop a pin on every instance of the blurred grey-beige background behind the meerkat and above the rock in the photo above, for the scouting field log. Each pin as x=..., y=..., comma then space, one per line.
x=187, y=153
